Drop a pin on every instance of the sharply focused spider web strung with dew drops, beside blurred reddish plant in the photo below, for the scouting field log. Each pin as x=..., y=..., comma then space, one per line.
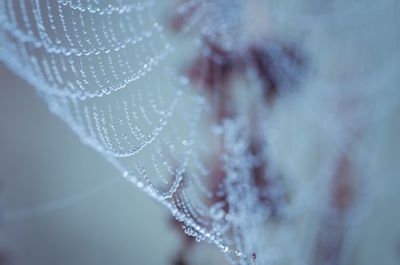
x=108, y=71
